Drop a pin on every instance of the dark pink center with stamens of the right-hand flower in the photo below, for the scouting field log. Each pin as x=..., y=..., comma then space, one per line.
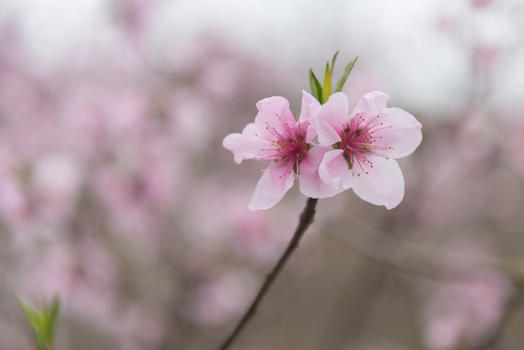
x=360, y=139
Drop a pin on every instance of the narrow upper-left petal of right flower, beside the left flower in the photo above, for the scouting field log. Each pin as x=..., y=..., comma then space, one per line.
x=331, y=118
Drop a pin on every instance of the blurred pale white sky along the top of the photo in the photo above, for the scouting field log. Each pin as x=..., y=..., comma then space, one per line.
x=397, y=40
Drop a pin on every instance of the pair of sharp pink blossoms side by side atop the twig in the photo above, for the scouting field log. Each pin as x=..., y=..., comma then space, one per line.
x=354, y=150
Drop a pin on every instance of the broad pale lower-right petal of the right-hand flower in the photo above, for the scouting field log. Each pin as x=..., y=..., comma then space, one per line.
x=383, y=185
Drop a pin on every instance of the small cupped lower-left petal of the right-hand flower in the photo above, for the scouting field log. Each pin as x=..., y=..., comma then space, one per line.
x=334, y=170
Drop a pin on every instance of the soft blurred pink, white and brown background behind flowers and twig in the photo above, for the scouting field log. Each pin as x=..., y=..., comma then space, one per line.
x=117, y=196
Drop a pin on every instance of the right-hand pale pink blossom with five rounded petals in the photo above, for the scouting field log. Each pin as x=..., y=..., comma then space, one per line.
x=365, y=145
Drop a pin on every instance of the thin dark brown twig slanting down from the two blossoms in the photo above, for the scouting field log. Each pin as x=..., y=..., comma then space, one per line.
x=306, y=218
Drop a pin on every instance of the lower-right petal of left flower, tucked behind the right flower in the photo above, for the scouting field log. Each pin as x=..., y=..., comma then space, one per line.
x=309, y=180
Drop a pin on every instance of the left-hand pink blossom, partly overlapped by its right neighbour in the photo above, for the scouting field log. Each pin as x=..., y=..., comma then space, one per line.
x=277, y=136
